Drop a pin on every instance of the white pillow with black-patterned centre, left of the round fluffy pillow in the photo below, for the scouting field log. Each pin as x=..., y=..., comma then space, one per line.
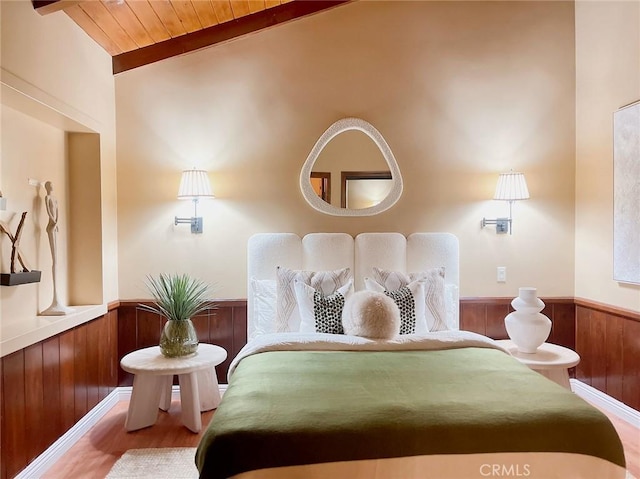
x=321, y=313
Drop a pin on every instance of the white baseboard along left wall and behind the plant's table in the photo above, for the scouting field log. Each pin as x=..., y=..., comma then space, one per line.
x=48, y=458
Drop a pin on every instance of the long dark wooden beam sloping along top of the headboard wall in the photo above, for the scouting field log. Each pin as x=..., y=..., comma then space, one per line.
x=220, y=33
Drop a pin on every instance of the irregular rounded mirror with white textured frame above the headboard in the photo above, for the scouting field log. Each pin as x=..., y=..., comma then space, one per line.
x=369, y=177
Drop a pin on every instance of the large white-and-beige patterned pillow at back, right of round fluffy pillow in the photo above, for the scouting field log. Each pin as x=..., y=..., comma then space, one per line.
x=435, y=309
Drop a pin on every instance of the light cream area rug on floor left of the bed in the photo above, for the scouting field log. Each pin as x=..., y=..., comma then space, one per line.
x=159, y=463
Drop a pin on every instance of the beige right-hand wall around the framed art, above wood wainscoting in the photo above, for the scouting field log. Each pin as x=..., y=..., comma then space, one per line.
x=607, y=77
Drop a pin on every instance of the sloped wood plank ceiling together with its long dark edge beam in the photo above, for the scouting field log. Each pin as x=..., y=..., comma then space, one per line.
x=139, y=32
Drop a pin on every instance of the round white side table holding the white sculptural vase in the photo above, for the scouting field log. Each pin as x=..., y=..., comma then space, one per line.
x=550, y=360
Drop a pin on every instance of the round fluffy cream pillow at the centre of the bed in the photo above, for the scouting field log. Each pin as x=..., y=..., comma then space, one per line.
x=372, y=315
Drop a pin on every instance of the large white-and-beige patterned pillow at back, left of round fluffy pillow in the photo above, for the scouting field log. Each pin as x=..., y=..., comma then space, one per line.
x=287, y=312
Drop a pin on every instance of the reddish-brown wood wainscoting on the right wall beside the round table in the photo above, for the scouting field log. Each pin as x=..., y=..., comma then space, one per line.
x=608, y=341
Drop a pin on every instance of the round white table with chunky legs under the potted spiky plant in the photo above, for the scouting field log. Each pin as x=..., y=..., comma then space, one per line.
x=153, y=381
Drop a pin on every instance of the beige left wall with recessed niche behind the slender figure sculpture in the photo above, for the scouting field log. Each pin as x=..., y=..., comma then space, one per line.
x=55, y=79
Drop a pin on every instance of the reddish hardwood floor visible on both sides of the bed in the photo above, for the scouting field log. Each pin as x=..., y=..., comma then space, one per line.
x=96, y=452
